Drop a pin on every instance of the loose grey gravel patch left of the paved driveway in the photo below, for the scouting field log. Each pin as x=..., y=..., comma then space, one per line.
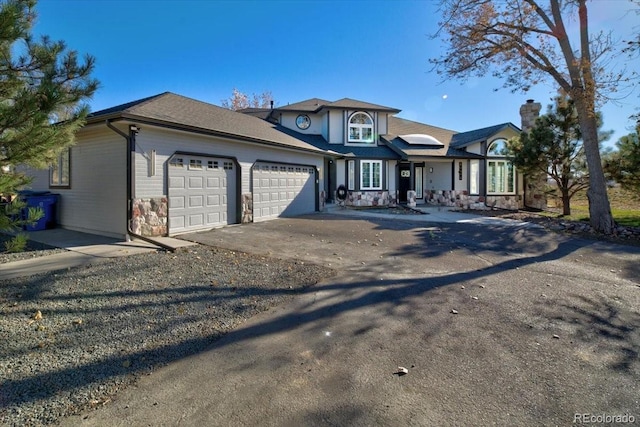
x=72, y=339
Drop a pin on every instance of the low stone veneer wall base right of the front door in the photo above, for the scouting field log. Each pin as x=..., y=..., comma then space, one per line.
x=461, y=199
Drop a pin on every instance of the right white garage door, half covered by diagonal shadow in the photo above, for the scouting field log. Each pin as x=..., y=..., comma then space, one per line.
x=282, y=190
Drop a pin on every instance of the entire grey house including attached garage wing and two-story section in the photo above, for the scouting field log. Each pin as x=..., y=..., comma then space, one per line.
x=168, y=165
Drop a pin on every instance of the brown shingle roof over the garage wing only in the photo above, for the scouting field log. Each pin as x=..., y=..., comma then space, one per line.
x=187, y=113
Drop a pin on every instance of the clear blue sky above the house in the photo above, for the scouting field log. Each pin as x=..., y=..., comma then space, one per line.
x=373, y=51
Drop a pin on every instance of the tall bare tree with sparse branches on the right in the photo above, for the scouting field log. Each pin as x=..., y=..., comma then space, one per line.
x=525, y=42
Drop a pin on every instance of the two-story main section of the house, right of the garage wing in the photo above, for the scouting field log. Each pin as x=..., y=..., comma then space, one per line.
x=381, y=159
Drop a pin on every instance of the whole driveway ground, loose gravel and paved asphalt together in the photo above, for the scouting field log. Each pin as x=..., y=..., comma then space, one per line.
x=544, y=326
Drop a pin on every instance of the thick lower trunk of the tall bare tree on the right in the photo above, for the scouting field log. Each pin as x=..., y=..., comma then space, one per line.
x=600, y=216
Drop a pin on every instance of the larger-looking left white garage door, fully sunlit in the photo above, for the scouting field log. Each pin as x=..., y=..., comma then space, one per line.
x=202, y=193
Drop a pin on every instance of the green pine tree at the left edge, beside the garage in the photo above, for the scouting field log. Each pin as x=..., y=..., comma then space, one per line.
x=43, y=87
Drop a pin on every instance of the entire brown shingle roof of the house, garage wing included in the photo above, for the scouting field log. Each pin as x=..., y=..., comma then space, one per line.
x=190, y=114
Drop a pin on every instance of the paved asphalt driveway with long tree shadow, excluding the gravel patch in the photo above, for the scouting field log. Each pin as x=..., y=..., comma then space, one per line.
x=496, y=325
